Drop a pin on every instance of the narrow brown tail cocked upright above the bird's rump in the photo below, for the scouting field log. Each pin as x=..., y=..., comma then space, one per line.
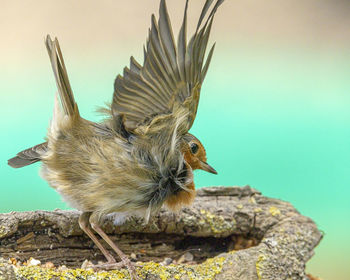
x=59, y=69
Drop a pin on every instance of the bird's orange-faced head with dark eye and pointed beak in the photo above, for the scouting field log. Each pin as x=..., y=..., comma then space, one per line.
x=195, y=155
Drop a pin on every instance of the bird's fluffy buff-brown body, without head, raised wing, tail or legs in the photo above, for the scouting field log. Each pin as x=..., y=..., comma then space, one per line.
x=97, y=170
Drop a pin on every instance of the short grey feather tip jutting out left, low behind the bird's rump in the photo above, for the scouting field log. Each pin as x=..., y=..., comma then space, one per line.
x=28, y=156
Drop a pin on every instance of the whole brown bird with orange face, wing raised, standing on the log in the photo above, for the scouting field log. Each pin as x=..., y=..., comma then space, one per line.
x=142, y=156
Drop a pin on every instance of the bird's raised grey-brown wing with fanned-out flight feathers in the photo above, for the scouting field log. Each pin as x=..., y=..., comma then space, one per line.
x=168, y=83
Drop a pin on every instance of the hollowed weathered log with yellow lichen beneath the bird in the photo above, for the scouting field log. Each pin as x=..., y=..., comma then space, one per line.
x=231, y=233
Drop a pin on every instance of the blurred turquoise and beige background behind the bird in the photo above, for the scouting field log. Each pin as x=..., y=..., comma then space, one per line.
x=274, y=111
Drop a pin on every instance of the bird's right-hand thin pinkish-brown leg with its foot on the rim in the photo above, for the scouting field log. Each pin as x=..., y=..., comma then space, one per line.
x=125, y=260
